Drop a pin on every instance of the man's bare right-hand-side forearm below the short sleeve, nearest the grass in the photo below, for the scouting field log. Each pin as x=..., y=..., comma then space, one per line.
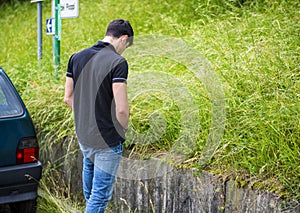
x=122, y=106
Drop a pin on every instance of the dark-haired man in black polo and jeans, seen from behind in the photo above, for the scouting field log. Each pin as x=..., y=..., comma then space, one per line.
x=96, y=91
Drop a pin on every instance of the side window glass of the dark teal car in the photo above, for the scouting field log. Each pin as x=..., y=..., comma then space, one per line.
x=10, y=105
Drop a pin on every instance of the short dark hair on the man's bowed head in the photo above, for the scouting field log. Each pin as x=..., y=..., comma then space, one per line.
x=120, y=27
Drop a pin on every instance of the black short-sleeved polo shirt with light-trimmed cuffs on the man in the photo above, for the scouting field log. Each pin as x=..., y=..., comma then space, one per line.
x=94, y=70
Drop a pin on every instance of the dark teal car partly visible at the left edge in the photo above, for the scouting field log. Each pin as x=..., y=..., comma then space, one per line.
x=20, y=169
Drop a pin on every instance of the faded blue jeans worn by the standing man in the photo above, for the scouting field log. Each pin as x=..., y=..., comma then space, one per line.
x=99, y=170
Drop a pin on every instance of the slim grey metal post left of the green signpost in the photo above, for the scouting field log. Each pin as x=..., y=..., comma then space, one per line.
x=39, y=28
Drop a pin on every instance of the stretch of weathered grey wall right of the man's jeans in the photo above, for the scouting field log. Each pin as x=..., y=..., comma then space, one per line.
x=180, y=191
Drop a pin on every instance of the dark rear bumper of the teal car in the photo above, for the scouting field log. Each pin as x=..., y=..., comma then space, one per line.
x=20, y=182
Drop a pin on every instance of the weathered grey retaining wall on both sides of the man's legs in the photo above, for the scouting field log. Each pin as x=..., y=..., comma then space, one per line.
x=171, y=191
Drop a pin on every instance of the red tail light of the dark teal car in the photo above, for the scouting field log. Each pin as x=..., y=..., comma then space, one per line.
x=28, y=150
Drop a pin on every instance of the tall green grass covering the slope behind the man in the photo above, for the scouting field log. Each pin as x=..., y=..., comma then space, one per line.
x=253, y=48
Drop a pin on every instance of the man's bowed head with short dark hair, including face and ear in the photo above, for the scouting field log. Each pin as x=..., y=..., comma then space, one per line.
x=122, y=34
